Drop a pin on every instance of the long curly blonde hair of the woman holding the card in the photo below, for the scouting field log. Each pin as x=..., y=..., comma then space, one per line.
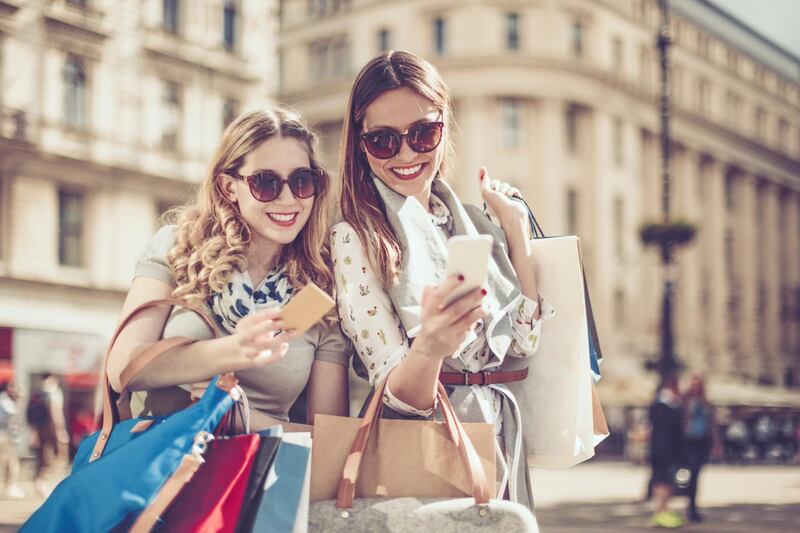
x=213, y=238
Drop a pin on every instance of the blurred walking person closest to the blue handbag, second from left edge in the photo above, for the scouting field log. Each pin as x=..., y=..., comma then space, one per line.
x=45, y=416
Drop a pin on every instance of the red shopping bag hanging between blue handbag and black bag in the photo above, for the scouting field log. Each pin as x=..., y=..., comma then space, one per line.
x=213, y=498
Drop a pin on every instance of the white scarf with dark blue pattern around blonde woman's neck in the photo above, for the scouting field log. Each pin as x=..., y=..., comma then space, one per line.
x=239, y=299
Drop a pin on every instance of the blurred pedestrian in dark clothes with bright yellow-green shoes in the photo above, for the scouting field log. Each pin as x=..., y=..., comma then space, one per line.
x=666, y=450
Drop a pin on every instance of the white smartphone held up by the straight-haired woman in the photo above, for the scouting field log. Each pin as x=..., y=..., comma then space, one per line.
x=468, y=256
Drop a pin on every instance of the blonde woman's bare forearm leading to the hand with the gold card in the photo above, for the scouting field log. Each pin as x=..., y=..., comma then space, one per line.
x=190, y=363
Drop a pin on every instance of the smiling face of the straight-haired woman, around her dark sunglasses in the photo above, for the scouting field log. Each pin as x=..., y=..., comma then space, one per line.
x=408, y=172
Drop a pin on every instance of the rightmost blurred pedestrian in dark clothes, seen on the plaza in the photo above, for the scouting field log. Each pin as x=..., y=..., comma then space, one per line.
x=701, y=438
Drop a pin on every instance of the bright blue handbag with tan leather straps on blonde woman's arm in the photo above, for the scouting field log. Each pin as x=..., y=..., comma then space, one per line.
x=125, y=475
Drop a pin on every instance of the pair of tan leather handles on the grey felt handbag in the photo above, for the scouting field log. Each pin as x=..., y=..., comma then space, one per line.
x=469, y=457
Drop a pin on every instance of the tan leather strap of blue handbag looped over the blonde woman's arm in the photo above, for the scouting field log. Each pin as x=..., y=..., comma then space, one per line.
x=111, y=414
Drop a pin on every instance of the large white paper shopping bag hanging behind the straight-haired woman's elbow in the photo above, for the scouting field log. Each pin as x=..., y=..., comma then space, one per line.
x=559, y=407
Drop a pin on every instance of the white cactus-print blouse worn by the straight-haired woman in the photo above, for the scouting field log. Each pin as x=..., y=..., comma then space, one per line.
x=369, y=319
